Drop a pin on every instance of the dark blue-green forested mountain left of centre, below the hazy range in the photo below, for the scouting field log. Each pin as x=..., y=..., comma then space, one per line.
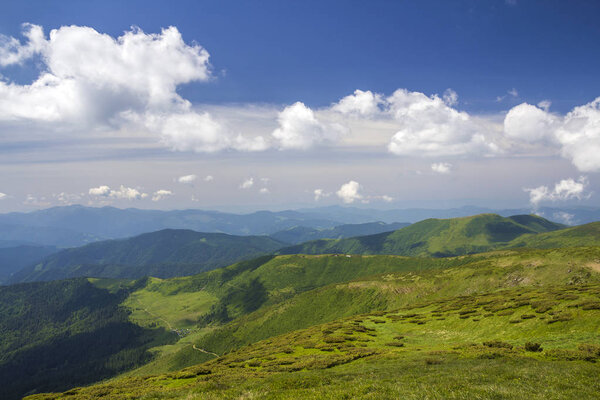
x=166, y=253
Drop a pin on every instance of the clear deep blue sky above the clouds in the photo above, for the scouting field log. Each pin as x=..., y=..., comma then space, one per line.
x=312, y=51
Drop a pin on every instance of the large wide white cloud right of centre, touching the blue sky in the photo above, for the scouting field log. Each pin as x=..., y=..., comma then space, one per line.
x=429, y=127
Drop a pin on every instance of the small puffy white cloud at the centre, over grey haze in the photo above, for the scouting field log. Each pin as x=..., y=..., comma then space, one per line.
x=300, y=129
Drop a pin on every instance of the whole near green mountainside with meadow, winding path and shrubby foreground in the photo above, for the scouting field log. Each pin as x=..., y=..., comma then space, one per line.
x=341, y=327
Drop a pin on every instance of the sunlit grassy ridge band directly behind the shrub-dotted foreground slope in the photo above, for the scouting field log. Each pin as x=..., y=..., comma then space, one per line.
x=398, y=286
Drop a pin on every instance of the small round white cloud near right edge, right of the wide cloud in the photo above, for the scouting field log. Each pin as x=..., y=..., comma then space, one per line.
x=528, y=123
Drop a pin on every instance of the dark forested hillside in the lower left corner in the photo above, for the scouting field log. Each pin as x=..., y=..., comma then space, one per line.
x=54, y=335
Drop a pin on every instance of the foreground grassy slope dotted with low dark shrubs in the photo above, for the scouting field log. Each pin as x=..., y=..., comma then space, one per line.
x=469, y=346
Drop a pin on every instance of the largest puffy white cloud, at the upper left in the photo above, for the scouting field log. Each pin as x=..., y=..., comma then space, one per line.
x=91, y=77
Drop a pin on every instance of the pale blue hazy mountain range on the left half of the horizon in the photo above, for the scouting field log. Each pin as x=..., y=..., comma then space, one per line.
x=77, y=225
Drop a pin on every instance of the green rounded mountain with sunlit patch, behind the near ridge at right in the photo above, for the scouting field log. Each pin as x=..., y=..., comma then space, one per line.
x=436, y=237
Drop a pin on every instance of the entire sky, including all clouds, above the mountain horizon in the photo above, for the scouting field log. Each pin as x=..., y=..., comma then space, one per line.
x=488, y=102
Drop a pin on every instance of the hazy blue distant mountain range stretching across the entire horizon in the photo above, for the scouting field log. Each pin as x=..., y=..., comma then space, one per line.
x=76, y=225
